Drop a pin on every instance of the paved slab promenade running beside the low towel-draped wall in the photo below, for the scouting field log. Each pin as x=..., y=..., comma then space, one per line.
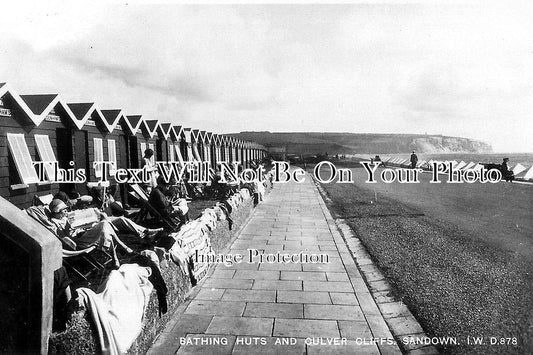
x=248, y=307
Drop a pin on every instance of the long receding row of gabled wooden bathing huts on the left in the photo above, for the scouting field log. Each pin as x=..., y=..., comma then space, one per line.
x=44, y=127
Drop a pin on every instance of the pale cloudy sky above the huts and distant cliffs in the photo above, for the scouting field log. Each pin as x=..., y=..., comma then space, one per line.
x=454, y=69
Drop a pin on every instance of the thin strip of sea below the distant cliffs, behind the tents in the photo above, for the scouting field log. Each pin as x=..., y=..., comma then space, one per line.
x=525, y=159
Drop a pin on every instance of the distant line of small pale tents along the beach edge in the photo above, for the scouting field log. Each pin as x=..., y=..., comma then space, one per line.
x=520, y=172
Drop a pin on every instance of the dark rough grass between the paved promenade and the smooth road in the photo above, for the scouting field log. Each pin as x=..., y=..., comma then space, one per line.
x=456, y=282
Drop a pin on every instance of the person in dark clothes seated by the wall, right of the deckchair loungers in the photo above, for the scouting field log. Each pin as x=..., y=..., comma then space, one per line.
x=160, y=200
